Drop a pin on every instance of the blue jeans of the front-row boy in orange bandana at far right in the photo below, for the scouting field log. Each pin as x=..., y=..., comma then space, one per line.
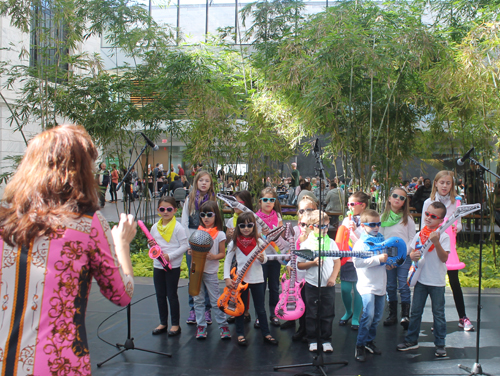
x=420, y=294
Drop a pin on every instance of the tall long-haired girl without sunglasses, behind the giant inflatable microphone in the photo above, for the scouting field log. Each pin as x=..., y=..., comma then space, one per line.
x=203, y=191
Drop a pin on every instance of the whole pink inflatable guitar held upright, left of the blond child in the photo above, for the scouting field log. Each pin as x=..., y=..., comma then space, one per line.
x=290, y=306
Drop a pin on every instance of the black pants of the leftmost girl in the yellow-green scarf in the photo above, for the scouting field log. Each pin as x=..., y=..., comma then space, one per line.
x=166, y=287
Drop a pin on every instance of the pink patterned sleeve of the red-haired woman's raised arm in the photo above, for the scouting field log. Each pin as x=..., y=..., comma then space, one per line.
x=104, y=266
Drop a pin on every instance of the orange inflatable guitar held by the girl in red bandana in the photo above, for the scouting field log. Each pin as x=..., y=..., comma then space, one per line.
x=230, y=301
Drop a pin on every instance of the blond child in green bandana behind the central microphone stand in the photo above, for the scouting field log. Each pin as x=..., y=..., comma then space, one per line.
x=330, y=267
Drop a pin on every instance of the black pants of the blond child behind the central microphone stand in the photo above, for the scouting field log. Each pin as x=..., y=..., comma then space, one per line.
x=326, y=314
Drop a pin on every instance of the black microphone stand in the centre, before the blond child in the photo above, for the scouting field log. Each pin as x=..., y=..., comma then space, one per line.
x=318, y=360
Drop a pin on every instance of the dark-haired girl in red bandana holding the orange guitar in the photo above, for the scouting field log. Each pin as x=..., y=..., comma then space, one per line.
x=245, y=240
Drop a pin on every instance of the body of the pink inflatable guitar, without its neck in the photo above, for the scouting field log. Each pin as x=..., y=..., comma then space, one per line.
x=290, y=306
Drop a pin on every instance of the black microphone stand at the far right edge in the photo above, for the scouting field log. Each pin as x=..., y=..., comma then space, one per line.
x=476, y=368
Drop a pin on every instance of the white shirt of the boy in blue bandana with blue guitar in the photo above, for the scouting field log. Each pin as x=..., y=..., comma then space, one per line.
x=372, y=277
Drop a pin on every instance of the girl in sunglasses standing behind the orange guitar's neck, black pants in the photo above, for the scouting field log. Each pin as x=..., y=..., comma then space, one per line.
x=270, y=213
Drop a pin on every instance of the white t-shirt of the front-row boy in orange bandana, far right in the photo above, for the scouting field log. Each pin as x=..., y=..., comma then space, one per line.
x=434, y=270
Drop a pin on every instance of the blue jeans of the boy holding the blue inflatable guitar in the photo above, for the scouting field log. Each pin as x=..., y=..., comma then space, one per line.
x=373, y=307
